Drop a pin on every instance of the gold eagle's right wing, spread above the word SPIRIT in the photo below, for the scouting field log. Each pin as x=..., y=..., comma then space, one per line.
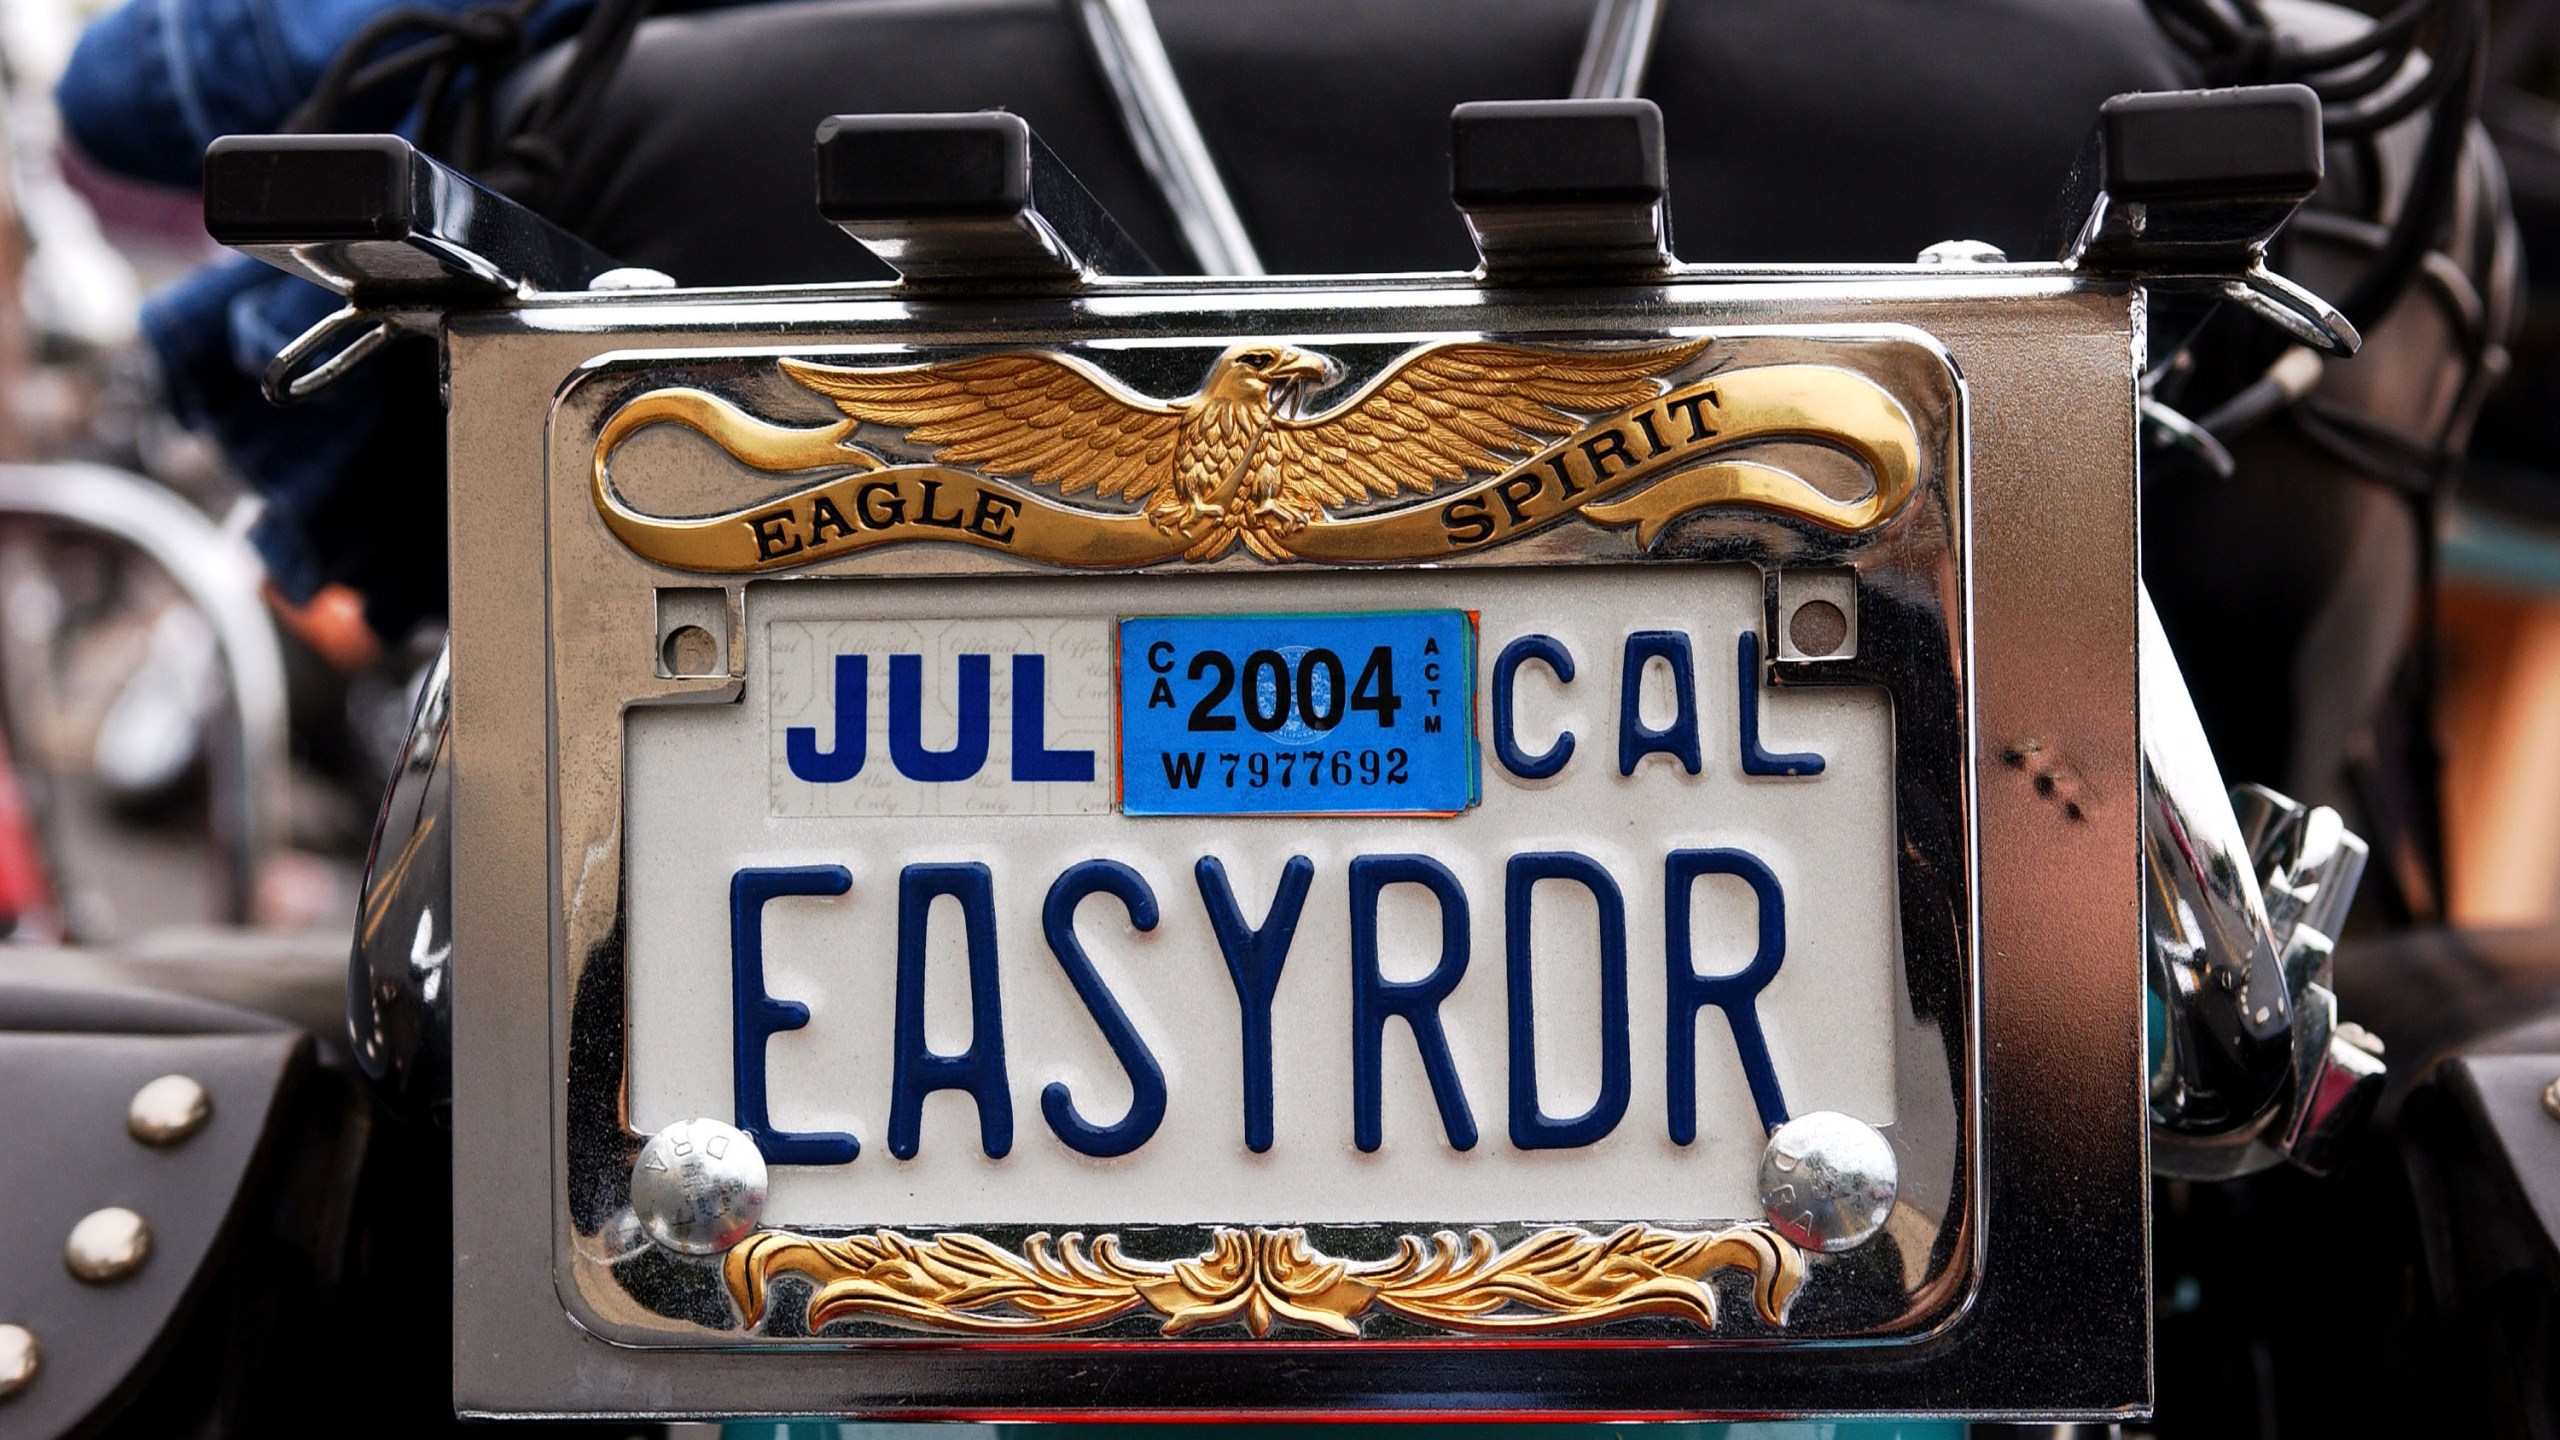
x=1455, y=411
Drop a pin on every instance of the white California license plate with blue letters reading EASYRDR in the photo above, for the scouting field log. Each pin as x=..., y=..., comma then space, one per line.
x=1430, y=988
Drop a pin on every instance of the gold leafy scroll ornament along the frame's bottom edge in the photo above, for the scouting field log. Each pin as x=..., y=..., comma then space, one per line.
x=1261, y=1277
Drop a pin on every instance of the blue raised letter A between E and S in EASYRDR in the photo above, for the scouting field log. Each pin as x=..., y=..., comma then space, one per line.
x=979, y=1070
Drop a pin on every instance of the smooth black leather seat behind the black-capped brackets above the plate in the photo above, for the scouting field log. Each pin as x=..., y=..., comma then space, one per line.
x=1796, y=129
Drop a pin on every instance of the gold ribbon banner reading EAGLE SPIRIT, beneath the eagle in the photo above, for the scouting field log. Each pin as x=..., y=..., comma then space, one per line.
x=1642, y=465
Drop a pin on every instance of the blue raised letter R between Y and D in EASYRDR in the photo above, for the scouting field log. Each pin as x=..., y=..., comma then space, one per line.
x=1420, y=1001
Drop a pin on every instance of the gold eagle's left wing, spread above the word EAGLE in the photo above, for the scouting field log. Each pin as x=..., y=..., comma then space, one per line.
x=1015, y=414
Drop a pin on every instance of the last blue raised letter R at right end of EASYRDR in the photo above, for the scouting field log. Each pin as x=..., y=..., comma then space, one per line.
x=1737, y=993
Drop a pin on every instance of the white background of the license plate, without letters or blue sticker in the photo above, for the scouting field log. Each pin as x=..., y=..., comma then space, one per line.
x=703, y=801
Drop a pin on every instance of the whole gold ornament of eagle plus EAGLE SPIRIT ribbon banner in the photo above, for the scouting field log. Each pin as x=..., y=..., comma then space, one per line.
x=1046, y=457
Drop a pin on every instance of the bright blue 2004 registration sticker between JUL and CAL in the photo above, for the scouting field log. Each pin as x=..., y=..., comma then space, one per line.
x=1299, y=714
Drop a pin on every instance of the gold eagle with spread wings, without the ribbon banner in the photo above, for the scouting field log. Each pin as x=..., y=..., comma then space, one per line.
x=1240, y=460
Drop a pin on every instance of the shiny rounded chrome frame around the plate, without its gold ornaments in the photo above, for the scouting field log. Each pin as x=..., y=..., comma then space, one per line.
x=1911, y=616
